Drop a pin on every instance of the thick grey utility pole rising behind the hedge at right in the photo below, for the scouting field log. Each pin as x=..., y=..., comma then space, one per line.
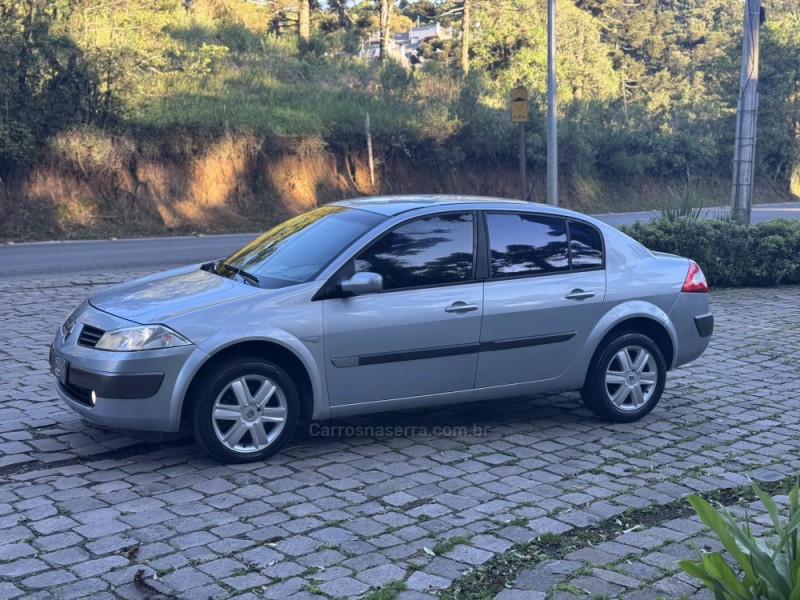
x=744, y=152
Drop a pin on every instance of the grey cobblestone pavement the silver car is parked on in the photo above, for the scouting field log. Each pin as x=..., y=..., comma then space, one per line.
x=88, y=512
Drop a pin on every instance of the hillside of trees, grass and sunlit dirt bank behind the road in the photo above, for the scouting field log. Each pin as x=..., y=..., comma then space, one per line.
x=103, y=93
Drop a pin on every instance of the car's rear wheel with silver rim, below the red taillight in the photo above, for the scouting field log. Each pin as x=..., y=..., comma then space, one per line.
x=626, y=378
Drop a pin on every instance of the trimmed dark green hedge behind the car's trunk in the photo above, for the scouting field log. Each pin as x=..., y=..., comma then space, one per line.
x=730, y=254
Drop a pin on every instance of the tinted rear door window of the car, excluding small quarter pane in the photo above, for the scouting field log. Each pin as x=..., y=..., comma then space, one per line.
x=523, y=244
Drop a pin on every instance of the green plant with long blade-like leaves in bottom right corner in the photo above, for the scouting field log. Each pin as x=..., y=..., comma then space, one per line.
x=766, y=569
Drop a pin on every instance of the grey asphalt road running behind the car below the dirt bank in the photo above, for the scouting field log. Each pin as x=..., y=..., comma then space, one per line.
x=41, y=259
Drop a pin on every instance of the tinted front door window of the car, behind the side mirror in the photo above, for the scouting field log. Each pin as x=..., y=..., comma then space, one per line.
x=425, y=252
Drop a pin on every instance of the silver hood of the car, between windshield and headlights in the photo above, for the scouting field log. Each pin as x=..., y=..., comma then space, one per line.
x=158, y=298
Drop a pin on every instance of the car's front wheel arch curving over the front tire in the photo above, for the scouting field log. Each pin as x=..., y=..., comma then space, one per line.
x=268, y=350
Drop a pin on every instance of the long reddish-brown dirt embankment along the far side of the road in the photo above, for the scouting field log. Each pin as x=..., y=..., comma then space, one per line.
x=92, y=185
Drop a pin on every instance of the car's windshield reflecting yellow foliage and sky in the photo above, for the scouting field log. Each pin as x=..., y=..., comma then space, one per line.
x=297, y=250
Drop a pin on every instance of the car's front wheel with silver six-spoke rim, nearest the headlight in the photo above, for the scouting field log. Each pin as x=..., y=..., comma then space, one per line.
x=247, y=410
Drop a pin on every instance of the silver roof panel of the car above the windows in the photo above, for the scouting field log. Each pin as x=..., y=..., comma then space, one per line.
x=394, y=205
